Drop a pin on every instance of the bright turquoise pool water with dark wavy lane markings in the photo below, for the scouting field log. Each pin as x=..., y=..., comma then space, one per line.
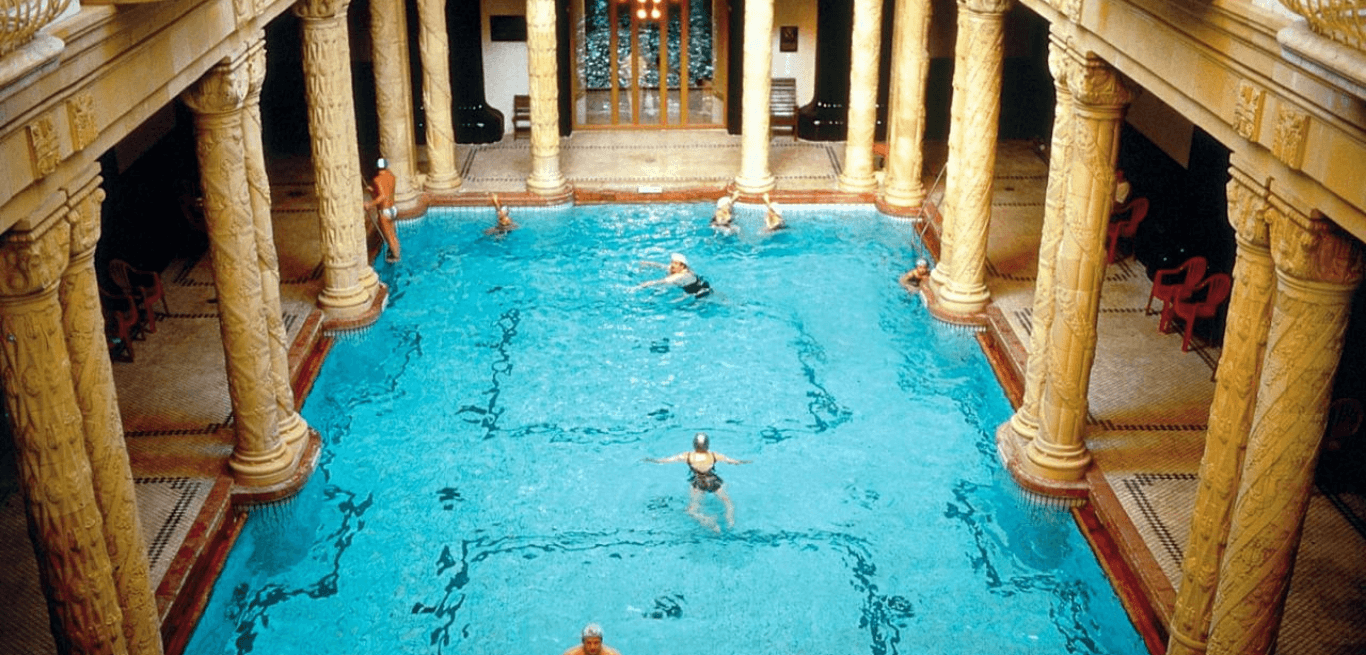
x=483, y=488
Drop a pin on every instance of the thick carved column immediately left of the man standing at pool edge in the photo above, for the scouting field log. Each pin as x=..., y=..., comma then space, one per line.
x=349, y=283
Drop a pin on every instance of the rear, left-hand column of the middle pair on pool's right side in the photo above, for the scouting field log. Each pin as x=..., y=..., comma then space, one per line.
x=1025, y=421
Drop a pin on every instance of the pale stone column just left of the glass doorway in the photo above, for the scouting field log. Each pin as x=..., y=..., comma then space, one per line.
x=543, y=68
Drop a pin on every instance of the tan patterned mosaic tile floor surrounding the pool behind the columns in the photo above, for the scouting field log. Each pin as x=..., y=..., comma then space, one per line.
x=1147, y=437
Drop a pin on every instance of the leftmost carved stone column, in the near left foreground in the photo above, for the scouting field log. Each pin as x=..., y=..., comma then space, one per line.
x=50, y=443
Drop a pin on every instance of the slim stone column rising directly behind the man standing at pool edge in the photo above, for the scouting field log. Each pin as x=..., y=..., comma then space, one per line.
x=394, y=96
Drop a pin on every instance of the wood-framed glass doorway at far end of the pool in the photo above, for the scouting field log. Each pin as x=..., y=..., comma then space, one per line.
x=648, y=63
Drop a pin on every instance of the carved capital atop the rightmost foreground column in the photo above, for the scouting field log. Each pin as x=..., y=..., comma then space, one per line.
x=1312, y=248
